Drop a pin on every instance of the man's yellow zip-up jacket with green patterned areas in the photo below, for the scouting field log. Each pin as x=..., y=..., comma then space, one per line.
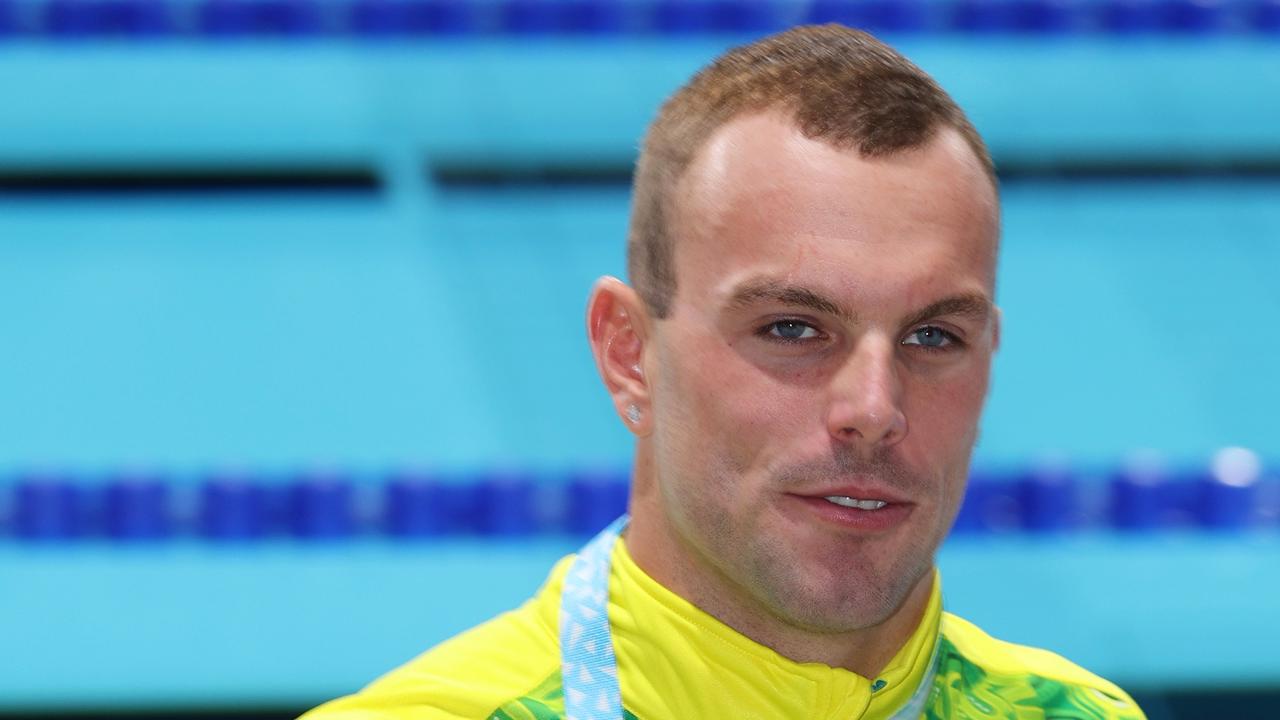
x=676, y=663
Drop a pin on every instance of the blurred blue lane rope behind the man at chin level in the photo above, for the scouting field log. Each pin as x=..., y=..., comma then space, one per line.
x=422, y=505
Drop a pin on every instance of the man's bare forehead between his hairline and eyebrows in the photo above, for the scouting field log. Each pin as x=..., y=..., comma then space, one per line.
x=764, y=199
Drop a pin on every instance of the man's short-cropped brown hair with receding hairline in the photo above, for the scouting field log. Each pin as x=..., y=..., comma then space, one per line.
x=842, y=85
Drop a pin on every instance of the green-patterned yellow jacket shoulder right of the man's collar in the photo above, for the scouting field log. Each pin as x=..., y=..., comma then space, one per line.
x=975, y=666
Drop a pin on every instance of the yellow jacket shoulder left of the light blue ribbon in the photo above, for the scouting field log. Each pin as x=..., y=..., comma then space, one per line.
x=495, y=671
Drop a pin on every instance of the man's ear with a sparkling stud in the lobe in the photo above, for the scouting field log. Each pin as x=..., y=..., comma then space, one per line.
x=618, y=327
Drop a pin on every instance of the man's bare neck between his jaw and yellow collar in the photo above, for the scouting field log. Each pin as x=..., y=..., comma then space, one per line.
x=664, y=555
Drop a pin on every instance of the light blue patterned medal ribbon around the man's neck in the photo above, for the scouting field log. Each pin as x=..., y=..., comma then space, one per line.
x=589, y=672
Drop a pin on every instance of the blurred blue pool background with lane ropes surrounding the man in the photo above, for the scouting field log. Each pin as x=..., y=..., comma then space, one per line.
x=294, y=381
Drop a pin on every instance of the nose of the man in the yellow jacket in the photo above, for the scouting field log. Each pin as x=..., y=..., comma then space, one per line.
x=866, y=405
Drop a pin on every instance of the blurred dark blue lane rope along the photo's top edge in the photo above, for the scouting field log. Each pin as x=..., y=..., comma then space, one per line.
x=382, y=19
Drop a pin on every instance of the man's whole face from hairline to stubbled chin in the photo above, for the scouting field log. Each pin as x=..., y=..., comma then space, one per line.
x=830, y=343
